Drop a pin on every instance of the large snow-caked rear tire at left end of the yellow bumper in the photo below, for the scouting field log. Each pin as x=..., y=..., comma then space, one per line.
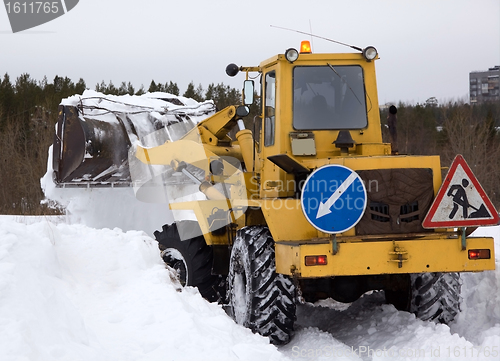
x=260, y=298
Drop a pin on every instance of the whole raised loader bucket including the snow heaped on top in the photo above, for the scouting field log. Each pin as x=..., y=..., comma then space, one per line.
x=94, y=133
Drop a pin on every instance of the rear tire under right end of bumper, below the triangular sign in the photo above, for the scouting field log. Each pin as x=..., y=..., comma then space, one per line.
x=430, y=296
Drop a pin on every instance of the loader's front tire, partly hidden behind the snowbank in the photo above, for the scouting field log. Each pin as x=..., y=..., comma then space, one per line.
x=190, y=256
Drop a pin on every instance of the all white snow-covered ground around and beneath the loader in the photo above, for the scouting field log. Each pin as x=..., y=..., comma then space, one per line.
x=70, y=292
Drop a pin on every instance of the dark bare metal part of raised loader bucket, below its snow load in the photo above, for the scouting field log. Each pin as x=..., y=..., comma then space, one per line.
x=89, y=151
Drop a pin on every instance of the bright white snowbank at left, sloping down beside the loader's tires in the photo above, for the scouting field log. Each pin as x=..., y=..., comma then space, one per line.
x=76, y=293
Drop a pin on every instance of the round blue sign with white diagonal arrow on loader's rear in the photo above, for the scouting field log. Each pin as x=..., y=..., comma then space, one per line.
x=333, y=198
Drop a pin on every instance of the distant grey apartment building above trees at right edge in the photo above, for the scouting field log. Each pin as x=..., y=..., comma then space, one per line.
x=483, y=85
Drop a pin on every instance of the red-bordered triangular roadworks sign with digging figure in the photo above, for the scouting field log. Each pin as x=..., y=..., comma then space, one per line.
x=461, y=201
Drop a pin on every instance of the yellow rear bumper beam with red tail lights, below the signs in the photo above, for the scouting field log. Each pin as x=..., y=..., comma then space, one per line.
x=431, y=253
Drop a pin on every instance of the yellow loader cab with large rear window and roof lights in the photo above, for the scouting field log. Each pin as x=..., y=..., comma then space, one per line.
x=310, y=104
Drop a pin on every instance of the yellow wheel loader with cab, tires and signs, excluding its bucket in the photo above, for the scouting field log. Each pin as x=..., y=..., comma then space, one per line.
x=305, y=201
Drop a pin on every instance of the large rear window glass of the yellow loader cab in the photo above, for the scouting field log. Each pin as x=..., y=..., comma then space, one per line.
x=329, y=97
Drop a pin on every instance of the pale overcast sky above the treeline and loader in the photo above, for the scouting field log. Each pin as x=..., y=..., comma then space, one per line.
x=427, y=48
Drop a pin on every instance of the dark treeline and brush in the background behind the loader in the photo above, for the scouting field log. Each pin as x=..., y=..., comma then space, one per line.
x=28, y=113
